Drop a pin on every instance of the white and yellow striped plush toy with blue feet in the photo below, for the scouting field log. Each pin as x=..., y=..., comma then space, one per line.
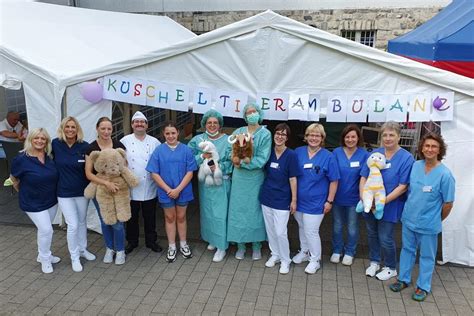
x=374, y=188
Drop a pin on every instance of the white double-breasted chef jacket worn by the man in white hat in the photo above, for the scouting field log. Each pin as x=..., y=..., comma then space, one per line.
x=138, y=154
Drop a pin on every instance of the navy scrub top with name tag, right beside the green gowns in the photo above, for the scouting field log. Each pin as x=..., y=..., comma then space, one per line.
x=276, y=190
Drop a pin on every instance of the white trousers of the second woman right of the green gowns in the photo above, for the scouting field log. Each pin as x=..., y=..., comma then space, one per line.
x=308, y=225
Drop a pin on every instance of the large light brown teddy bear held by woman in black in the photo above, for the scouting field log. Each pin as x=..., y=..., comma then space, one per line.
x=110, y=165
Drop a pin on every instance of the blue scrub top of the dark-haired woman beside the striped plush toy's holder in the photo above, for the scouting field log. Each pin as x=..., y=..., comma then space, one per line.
x=349, y=169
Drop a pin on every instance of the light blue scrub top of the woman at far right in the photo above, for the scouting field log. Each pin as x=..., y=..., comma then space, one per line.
x=426, y=196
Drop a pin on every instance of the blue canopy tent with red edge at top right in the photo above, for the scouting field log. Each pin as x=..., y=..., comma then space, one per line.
x=446, y=41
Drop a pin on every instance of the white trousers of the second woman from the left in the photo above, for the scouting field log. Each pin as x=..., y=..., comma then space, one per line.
x=75, y=213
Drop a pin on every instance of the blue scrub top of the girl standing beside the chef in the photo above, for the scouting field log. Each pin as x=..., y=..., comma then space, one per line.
x=172, y=165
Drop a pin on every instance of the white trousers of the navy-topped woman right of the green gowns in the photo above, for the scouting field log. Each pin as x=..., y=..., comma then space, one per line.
x=276, y=225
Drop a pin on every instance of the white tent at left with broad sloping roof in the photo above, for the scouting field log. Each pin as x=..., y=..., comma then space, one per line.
x=49, y=48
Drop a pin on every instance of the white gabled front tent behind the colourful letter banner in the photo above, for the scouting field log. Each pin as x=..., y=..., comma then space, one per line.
x=271, y=53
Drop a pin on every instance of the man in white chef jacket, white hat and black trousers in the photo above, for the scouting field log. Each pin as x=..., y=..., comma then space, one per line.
x=139, y=147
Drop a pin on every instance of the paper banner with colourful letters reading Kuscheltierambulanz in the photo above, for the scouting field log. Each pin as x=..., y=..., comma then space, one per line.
x=338, y=107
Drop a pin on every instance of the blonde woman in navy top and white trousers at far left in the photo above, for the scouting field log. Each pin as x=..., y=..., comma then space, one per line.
x=34, y=175
